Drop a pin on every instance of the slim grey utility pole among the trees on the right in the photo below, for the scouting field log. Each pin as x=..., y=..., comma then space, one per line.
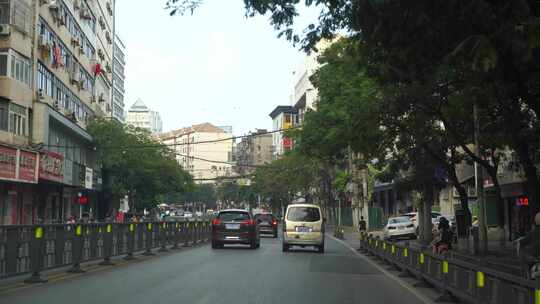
x=479, y=181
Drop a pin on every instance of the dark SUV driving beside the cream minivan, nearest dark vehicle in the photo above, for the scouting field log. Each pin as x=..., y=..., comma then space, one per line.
x=235, y=226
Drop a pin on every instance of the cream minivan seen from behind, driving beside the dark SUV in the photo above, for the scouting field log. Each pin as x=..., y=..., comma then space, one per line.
x=303, y=226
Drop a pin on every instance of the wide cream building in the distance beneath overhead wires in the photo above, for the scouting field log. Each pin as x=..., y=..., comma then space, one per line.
x=203, y=150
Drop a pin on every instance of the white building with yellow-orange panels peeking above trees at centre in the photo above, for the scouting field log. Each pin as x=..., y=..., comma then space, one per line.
x=283, y=118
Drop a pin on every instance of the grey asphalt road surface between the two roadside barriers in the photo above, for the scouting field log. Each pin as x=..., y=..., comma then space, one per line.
x=232, y=275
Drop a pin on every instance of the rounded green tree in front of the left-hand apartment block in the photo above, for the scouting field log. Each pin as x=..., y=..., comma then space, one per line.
x=135, y=164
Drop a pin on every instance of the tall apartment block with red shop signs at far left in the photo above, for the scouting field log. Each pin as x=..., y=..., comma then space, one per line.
x=55, y=74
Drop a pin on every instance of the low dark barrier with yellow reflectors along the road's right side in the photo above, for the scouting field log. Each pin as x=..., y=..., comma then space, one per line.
x=455, y=279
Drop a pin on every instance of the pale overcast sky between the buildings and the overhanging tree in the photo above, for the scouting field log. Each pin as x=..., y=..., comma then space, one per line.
x=213, y=66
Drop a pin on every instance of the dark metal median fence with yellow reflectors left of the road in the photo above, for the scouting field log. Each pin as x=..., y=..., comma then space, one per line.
x=33, y=249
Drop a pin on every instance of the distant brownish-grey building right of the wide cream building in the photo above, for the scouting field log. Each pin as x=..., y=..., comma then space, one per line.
x=253, y=150
